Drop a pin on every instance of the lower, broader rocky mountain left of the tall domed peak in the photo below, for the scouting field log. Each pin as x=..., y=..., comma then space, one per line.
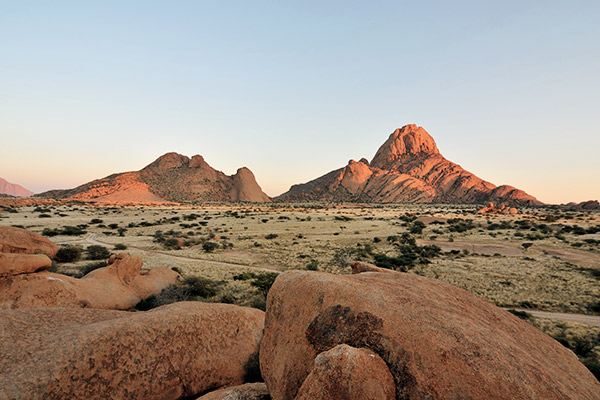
x=172, y=177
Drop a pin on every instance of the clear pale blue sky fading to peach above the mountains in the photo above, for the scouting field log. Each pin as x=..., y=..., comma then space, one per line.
x=510, y=90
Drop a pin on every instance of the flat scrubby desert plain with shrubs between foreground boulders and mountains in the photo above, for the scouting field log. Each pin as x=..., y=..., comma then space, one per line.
x=540, y=259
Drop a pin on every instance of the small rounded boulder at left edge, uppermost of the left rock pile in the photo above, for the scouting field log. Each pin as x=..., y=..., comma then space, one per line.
x=17, y=240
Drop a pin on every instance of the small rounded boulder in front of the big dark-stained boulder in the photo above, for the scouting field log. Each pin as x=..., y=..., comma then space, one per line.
x=348, y=373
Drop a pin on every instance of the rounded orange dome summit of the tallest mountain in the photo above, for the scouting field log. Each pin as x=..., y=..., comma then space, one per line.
x=409, y=140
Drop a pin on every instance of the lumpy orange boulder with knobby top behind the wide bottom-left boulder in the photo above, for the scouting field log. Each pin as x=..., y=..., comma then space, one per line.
x=118, y=286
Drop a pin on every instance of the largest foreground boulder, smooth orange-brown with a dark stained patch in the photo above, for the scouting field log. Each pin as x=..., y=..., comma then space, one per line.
x=438, y=341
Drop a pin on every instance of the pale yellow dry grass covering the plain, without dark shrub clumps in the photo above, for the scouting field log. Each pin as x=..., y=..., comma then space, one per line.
x=551, y=275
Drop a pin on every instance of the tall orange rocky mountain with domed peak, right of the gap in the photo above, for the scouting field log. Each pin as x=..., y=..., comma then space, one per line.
x=408, y=167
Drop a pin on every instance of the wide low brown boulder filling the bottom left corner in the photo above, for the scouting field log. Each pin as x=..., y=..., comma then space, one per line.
x=173, y=351
